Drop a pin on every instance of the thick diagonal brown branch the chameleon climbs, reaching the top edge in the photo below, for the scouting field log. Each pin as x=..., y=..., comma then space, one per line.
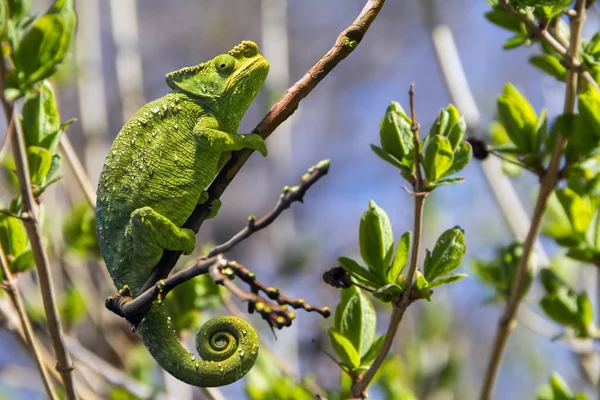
x=345, y=43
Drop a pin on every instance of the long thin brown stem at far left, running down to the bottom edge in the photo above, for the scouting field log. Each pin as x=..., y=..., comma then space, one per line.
x=64, y=364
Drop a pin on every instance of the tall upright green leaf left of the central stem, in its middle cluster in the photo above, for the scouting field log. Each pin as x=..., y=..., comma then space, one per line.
x=376, y=240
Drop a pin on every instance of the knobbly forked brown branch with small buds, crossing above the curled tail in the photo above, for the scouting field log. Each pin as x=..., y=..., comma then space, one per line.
x=134, y=308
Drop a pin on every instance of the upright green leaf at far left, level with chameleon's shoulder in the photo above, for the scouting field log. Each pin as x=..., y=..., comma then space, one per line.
x=40, y=117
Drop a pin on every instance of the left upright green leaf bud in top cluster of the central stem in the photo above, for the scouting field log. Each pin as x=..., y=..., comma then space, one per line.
x=396, y=133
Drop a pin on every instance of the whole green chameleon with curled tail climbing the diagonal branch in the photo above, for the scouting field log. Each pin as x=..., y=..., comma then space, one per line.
x=153, y=178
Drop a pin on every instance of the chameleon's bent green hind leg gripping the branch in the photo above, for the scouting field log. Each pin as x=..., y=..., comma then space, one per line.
x=153, y=233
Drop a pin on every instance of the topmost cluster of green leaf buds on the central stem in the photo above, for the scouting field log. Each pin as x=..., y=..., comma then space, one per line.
x=442, y=153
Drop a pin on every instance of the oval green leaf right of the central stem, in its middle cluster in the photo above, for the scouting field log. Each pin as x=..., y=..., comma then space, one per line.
x=446, y=255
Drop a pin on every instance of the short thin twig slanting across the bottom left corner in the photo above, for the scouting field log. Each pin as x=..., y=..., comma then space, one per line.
x=17, y=302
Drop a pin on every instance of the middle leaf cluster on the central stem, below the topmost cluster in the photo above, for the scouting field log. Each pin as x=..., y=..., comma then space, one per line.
x=384, y=272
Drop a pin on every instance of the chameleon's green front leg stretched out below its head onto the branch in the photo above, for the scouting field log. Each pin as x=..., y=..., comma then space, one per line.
x=210, y=137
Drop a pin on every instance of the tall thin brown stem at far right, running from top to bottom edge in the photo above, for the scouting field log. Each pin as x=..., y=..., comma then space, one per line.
x=507, y=322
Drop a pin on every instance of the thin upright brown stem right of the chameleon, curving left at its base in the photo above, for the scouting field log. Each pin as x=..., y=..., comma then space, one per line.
x=359, y=388
